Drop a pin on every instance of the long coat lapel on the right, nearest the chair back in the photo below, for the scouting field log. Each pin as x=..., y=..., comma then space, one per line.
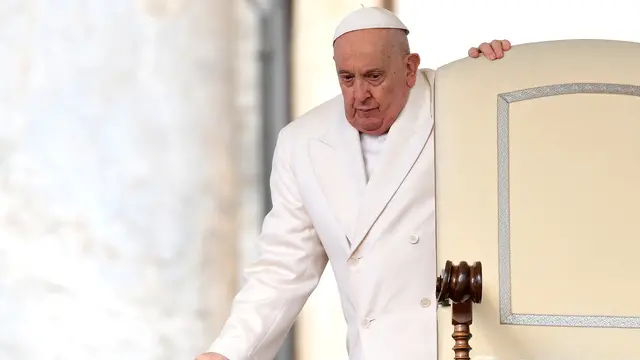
x=406, y=140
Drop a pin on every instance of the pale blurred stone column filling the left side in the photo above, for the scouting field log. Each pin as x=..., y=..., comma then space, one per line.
x=119, y=184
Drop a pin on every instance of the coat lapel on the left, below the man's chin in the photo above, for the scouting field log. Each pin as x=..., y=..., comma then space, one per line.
x=337, y=161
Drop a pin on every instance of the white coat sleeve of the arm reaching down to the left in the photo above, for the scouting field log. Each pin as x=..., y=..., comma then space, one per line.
x=291, y=260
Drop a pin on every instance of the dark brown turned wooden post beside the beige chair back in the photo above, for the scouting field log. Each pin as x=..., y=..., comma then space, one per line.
x=461, y=284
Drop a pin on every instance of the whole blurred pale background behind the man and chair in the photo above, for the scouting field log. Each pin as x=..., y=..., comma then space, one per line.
x=135, y=145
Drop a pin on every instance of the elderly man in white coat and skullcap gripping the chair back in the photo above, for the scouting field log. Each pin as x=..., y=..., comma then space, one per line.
x=353, y=183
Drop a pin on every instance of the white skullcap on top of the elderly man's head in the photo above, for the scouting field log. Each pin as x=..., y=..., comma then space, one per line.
x=368, y=18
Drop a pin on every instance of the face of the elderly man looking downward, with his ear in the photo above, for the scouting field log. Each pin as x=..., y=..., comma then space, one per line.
x=375, y=73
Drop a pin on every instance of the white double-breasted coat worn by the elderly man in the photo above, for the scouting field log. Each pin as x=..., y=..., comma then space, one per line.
x=379, y=237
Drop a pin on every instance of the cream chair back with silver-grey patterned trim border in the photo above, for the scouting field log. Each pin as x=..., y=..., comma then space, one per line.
x=538, y=177
